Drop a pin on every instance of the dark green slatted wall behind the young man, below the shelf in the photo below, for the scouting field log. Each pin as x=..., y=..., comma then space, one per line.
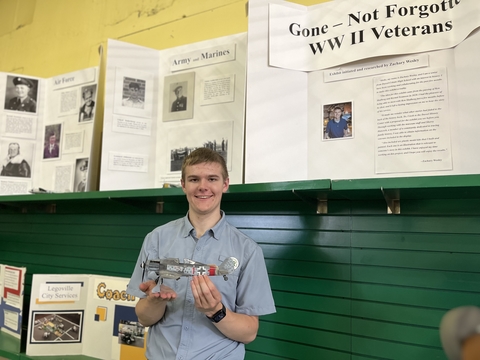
x=355, y=283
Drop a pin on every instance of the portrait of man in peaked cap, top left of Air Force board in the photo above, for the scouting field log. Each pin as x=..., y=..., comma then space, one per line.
x=21, y=94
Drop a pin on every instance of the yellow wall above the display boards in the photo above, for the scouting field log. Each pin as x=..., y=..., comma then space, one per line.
x=45, y=38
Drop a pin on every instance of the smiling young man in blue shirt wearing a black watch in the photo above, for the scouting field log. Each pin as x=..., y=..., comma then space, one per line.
x=202, y=317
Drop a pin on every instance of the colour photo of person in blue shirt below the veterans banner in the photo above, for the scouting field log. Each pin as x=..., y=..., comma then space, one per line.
x=337, y=121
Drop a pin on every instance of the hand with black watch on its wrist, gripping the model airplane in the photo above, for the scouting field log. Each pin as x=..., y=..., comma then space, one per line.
x=208, y=299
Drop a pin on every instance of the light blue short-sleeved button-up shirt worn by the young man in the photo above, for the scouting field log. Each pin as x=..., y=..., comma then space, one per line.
x=185, y=333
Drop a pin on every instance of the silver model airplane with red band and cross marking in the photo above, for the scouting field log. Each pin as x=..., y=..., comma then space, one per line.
x=173, y=269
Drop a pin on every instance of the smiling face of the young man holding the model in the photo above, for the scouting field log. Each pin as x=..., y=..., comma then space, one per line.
x=204, y=186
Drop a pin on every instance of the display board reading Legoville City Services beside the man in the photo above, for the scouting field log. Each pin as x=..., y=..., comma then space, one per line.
x=87, y=315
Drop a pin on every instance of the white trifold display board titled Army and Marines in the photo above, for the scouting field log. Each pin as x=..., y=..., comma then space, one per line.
x=161, y=105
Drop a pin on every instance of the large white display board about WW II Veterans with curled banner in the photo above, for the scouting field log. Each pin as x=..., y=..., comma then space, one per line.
x=353, y=89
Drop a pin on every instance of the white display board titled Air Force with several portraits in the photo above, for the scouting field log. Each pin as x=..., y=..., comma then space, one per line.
x=47, y=132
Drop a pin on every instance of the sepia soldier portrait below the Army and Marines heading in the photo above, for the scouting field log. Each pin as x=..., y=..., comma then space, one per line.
x=178, y=93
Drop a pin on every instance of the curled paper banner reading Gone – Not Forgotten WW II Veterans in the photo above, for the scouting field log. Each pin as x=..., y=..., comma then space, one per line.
x=338, y=32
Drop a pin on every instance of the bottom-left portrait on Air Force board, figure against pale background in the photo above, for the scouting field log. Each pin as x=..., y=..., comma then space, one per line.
x=16, y=158
